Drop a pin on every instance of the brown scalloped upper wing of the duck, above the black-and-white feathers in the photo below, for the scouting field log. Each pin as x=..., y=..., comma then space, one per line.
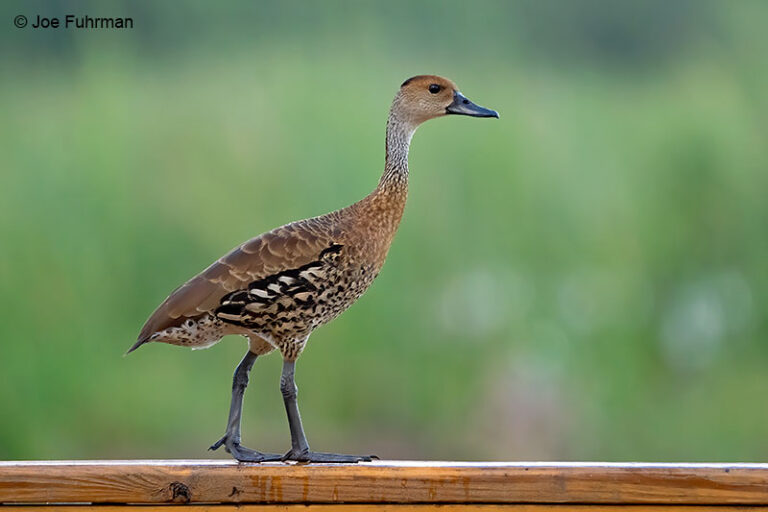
x=284, y=248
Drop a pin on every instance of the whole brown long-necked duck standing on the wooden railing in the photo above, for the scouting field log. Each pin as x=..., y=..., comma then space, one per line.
x=277, y=288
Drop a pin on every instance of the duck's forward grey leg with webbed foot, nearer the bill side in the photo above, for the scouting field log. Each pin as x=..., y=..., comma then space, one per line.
x=299, y=446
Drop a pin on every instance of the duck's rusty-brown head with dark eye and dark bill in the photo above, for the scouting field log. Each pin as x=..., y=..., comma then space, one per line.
x=426, y=97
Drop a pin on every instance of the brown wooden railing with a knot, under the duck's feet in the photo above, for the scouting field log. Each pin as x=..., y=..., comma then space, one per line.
x=216, y=486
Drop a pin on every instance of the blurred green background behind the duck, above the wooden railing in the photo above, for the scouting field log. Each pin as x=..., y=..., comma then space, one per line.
x=584, y=279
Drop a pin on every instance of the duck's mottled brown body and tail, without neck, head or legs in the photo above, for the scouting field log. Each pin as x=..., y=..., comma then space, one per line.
x=283, y=284
